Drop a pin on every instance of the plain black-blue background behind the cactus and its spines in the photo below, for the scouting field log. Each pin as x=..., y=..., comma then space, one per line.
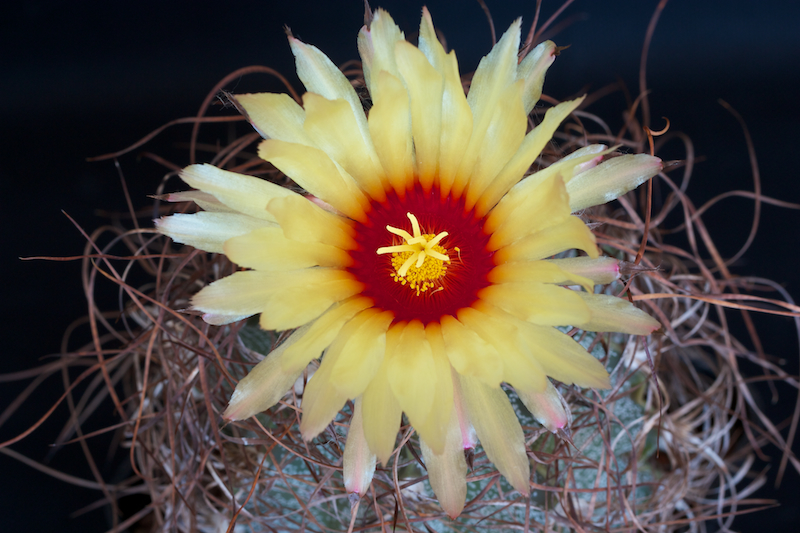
x=85, y=78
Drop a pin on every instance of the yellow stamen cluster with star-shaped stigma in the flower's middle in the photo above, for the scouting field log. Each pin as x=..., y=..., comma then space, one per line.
x=420, y=261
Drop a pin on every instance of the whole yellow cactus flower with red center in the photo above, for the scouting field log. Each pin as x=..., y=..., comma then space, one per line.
x=418, y=266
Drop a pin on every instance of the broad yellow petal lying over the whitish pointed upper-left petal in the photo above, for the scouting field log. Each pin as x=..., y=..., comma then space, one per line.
x=333, y=128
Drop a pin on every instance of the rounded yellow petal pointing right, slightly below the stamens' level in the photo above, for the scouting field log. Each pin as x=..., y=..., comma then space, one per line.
x=540, y=303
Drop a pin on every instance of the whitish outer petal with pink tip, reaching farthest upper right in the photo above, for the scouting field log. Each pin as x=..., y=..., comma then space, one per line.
x=611, y=179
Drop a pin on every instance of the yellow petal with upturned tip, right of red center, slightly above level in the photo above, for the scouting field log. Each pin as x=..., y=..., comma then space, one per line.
x=571, y=233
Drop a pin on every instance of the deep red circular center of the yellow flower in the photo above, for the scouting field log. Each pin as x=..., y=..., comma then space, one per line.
x=436, y=288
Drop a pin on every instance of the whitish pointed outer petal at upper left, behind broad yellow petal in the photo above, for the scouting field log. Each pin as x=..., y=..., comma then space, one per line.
x=319, y=75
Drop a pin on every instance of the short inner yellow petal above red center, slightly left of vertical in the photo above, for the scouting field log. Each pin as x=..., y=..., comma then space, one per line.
x=390, y=127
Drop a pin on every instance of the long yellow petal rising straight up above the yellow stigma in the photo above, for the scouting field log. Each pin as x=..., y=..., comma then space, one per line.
x=425, y=86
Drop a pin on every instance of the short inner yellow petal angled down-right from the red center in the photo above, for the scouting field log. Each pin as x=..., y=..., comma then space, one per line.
x=469, y=354
